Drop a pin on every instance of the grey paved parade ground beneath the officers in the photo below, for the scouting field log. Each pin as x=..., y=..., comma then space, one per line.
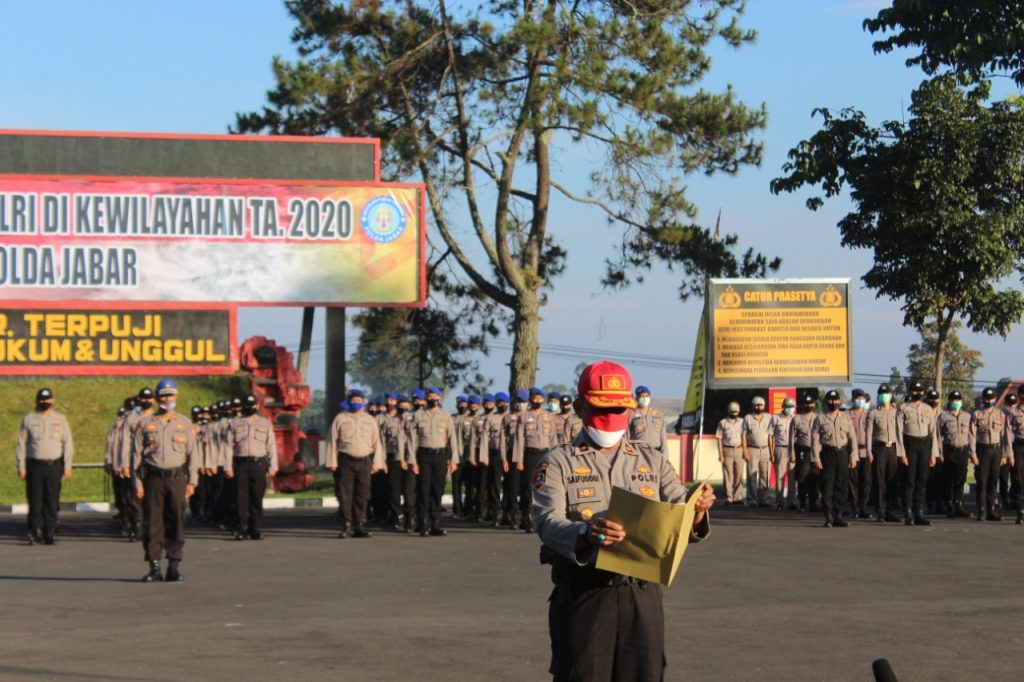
x=767, y=598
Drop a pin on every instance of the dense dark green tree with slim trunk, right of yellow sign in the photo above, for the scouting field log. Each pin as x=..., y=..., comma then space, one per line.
x=937, y=200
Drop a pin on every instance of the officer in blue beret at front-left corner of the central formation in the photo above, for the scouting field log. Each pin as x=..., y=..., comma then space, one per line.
x=356, y=452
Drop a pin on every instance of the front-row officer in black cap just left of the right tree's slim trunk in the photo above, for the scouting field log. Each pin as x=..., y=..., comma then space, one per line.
x=920, y=453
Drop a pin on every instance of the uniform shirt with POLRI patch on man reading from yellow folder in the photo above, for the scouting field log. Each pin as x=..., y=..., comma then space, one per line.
x=574, y=485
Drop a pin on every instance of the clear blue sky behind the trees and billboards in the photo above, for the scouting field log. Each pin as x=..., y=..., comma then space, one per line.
x=189, y=66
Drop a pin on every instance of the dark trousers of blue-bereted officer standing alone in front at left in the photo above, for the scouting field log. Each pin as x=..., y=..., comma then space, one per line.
x=164, y=517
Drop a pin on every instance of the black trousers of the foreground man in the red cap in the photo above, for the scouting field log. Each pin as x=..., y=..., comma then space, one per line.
x=609, y=634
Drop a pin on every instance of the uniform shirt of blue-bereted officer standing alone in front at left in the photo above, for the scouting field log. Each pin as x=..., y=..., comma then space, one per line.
x=164, y=442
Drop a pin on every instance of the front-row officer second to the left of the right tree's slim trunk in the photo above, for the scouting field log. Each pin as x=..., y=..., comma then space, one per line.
x=885, y=450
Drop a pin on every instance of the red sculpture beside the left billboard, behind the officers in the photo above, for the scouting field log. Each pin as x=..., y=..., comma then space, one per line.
x=280, y=389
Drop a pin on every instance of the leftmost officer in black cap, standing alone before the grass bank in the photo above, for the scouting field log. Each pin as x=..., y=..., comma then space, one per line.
x=44, y=457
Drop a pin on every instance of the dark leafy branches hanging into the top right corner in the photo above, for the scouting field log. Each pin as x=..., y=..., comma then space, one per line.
x=973, y=38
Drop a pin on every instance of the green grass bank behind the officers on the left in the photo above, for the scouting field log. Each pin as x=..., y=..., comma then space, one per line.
x=91, y=404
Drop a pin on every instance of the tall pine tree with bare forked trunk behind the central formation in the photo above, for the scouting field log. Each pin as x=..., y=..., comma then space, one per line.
x=484, y=103
